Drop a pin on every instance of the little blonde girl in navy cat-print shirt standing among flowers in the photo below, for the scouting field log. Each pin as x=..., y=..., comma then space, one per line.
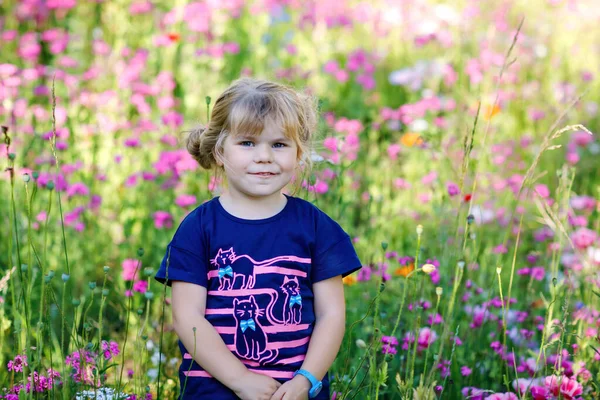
x=256, y=274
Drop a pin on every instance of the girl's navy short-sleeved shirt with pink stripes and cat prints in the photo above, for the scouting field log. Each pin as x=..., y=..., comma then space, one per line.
x=259, y=276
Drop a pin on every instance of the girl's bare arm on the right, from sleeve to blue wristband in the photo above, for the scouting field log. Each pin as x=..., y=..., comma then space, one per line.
x=326, y=339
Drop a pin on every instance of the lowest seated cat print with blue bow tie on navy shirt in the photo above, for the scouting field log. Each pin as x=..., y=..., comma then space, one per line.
x=250, y=339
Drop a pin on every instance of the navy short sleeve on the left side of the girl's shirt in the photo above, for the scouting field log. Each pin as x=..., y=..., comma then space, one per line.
x=185, y=259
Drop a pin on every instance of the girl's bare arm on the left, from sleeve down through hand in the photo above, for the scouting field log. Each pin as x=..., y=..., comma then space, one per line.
x=189, y=306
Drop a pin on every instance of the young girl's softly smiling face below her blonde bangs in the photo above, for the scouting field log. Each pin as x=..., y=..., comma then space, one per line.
x=260, y=166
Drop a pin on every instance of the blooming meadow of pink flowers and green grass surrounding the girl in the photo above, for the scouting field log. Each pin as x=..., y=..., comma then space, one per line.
x=457, y=145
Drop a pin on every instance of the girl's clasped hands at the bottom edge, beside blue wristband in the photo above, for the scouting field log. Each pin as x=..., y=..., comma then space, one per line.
x=253, y=386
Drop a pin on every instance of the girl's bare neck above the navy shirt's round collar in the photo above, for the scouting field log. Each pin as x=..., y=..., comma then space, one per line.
x=244, y=207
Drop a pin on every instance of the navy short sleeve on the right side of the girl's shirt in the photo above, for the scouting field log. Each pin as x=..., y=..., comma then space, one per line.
x=334, y=253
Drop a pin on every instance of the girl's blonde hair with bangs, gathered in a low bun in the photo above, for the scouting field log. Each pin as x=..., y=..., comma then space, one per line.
x=244, y=107
